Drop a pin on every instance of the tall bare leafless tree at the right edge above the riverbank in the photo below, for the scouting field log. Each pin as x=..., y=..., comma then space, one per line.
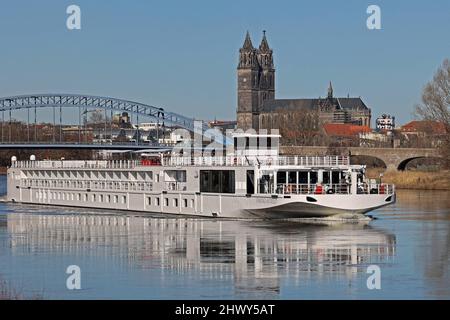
x=436, y=103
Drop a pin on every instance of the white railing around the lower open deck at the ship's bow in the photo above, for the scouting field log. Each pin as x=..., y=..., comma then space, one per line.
x=316, y=189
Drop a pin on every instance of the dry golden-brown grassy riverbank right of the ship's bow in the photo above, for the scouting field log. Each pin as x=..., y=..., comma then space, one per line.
x=417, y=180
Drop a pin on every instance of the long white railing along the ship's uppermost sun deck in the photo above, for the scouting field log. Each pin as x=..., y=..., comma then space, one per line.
x=228, y=161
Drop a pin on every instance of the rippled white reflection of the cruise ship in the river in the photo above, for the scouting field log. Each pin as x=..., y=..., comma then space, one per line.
x=254, y=258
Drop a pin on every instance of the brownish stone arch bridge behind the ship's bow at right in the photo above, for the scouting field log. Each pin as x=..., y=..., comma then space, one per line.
x=394, y=158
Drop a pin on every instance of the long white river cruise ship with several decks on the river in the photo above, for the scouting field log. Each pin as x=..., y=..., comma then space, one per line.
x=250, y=183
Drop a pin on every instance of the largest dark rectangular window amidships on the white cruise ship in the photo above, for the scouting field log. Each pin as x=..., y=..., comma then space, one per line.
x=217, y=181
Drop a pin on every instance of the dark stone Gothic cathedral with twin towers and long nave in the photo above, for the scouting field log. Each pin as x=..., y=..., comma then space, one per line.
x=257, y=107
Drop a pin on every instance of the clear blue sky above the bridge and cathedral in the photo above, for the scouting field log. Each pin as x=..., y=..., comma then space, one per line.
x=182, y=55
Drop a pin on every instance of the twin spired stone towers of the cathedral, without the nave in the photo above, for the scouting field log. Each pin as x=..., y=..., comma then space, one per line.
x=256, y=81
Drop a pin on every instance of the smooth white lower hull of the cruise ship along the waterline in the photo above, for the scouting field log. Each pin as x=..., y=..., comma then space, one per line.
x=235, y=208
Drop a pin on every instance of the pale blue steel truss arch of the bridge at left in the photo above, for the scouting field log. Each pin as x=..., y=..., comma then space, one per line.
x=87, y=101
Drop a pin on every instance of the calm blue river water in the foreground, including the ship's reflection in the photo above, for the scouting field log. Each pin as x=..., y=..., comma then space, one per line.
x=126, y=256
